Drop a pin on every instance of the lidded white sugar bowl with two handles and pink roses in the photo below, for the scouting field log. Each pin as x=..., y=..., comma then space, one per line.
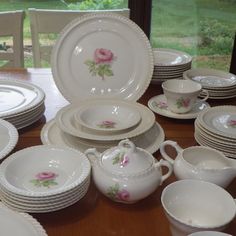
x=126, y=173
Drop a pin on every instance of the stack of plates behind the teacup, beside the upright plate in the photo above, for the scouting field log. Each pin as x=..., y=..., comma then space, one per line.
x=170, y=64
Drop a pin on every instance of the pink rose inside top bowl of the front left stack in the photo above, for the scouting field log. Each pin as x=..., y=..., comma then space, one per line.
x=45, y=179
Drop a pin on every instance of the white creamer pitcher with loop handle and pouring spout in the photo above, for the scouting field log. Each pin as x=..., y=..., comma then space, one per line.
x=201, y=162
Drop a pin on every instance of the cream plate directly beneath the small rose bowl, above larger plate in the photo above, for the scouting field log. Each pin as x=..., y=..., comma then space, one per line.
x=65, y=121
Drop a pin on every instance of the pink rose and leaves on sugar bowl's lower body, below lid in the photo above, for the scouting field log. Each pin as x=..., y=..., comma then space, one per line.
x=117, y=194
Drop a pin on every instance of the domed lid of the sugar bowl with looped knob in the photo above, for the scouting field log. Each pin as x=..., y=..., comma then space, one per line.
x=126, y=159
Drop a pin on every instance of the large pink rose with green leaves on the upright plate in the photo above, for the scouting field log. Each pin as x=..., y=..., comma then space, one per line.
x=101, y=63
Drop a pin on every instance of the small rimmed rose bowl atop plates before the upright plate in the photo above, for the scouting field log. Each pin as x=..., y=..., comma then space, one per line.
x=107, y=116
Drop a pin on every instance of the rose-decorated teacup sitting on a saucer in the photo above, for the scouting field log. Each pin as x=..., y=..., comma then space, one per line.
x=181, y=95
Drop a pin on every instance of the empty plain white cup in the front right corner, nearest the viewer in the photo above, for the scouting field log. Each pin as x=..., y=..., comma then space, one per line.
x=195, y=205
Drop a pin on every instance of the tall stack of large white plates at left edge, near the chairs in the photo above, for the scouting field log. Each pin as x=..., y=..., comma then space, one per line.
x=22, y=103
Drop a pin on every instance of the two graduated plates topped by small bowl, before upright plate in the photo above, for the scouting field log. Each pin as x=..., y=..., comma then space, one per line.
x=102, y=124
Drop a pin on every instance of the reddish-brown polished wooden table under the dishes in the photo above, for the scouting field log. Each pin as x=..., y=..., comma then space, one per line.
x=96, y=214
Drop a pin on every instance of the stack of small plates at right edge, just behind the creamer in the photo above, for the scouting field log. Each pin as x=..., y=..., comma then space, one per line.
x=216, y=127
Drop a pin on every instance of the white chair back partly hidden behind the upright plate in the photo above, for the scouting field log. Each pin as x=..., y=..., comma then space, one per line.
x=46, y=22
